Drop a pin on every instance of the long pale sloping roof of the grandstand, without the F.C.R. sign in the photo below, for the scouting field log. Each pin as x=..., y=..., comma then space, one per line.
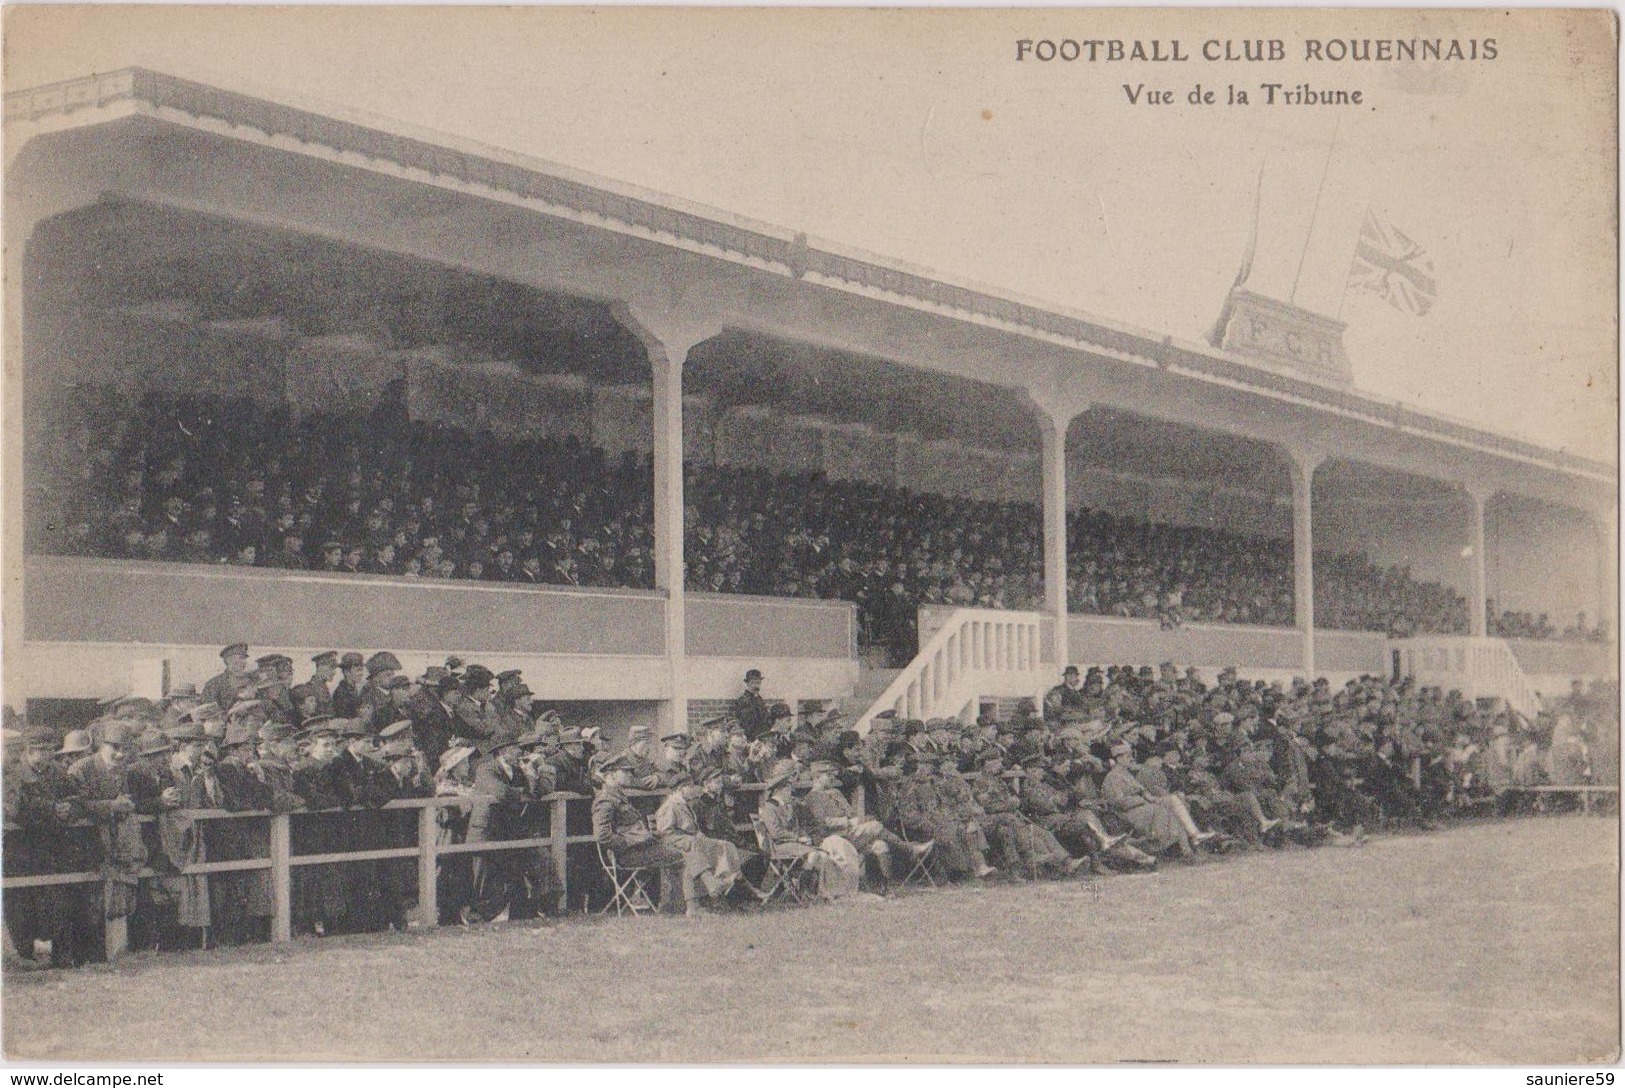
x=184, y=144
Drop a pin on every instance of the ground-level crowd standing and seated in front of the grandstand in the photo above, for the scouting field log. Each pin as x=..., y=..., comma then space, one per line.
x=1112, y=771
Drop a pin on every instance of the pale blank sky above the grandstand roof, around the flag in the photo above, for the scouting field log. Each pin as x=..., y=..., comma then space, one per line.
x=919, y=136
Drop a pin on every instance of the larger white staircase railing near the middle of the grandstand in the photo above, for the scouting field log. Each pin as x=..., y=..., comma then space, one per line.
x=974, y=654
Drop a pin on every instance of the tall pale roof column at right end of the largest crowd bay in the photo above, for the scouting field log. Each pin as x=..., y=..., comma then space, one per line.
x=669, y=339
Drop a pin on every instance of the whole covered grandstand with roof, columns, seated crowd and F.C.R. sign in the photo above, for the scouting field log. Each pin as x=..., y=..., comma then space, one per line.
x=618, y=387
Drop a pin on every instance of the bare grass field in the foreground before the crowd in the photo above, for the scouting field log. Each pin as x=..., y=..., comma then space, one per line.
x=1493, y=943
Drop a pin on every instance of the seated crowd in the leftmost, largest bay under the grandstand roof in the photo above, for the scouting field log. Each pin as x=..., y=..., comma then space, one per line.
x=207, y=480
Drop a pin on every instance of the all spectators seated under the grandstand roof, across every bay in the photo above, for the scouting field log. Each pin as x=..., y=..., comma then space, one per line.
x=233, y=481
